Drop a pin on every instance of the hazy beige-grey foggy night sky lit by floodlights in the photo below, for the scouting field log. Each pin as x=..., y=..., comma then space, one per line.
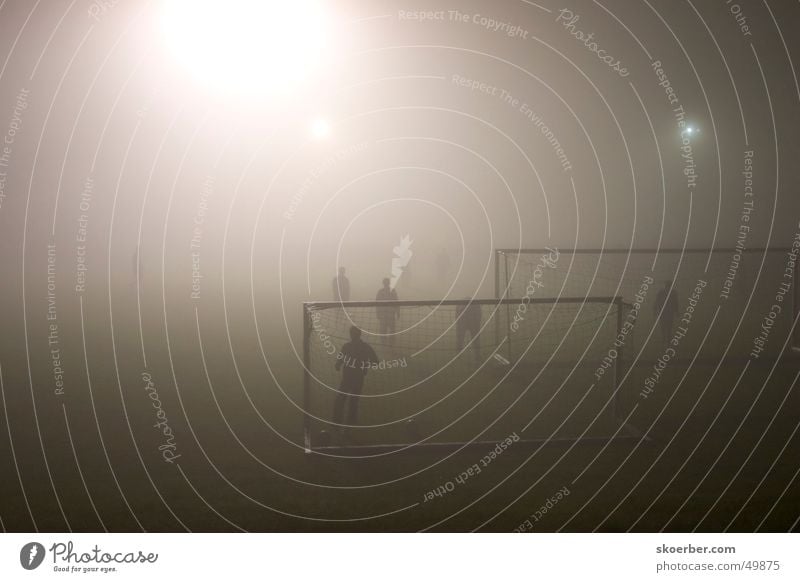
x=496, y=121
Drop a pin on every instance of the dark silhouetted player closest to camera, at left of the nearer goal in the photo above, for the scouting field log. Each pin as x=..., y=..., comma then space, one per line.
x=354, y=360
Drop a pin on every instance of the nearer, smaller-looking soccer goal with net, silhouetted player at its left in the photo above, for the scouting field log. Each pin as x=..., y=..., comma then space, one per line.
x=455, y=373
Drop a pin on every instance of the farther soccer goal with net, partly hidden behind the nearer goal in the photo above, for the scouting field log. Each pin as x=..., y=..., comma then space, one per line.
x=726, y=295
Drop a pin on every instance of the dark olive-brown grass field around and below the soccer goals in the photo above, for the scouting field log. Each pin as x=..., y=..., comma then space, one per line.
x=720, y=451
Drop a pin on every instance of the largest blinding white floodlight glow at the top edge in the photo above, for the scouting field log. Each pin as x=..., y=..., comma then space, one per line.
x=247, y=45
